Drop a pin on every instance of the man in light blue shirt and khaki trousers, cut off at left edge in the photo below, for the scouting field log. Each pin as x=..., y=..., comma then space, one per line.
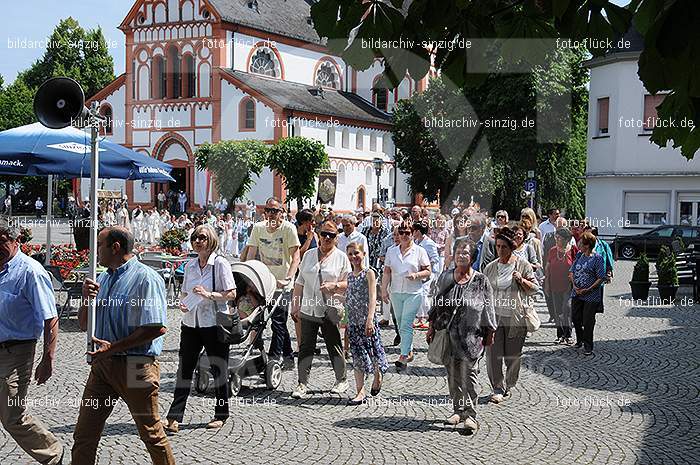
x=27, y=309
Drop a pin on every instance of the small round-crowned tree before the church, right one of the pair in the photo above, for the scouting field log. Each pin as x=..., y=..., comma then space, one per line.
x=299, y=160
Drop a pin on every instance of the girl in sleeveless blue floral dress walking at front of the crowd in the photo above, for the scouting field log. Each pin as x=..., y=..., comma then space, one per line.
x=368, y=355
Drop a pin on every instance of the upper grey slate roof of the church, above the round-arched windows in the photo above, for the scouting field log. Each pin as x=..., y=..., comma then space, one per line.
x=289, y=18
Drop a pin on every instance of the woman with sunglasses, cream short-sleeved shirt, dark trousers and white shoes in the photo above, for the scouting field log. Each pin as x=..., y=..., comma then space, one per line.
x=318, y=289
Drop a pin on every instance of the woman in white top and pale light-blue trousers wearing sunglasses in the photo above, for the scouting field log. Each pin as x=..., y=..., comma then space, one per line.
x=405, y=267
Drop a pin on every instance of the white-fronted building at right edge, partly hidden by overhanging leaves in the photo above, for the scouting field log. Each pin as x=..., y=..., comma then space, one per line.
x=633, y=185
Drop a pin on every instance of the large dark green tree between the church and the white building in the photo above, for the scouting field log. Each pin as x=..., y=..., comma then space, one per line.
x=481, y=141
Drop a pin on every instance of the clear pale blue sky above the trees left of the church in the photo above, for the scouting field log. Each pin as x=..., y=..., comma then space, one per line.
x=34, y=20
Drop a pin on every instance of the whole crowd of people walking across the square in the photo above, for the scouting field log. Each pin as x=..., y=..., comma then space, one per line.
x=468, y=280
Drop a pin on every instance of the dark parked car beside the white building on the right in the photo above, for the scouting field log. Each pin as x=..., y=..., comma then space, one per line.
x=651, y=241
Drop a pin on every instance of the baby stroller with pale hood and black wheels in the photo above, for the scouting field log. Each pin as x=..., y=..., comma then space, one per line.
x=255, y=286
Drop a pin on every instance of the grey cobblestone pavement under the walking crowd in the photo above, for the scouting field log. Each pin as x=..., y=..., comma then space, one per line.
x=634, y=401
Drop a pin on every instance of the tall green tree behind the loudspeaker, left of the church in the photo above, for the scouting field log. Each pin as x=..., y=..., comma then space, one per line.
x=75, y=53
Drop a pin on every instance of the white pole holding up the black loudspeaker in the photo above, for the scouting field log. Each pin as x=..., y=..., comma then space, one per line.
x=94, y=176
